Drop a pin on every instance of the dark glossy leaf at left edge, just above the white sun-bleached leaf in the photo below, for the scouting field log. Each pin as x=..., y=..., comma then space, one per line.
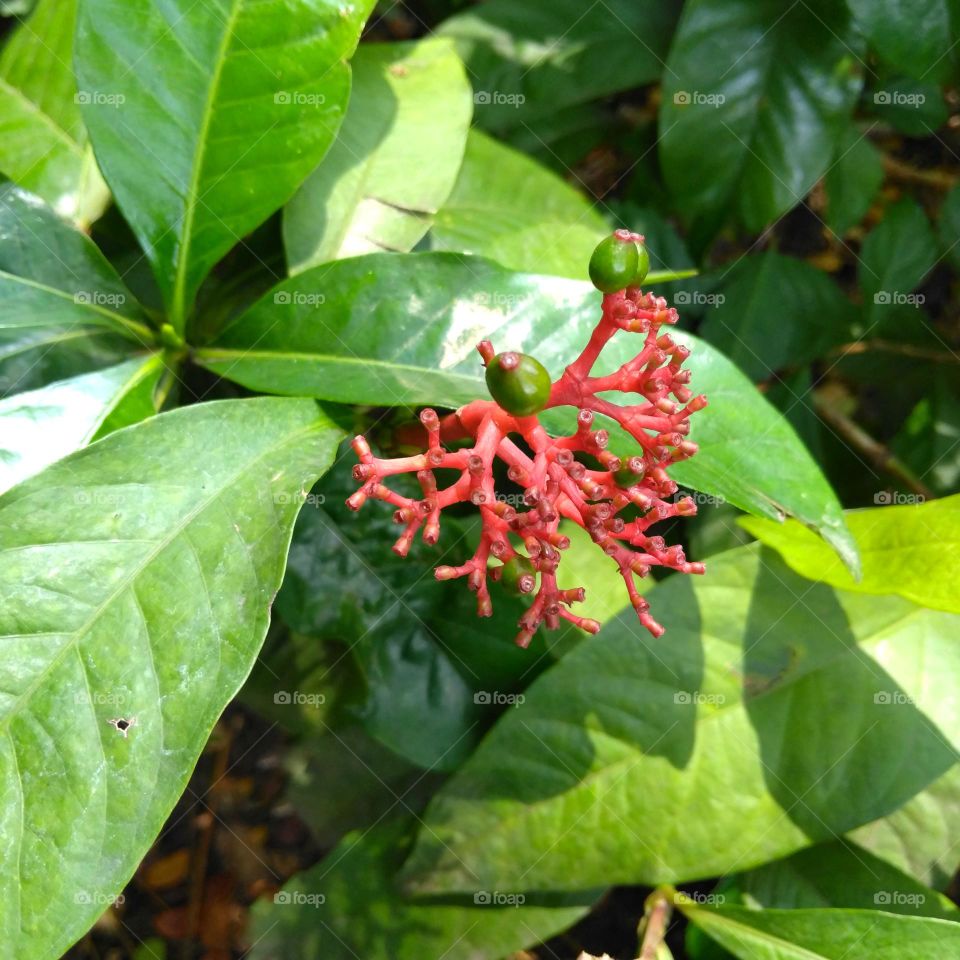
x=62, y=306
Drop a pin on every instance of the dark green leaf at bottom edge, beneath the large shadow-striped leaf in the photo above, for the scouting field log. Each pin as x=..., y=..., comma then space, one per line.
x=347, y=906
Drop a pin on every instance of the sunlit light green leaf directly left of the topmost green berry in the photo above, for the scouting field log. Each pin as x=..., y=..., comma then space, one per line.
x=510, y=208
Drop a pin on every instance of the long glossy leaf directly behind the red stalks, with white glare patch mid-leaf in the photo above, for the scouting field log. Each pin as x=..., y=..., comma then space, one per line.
x=388, y=329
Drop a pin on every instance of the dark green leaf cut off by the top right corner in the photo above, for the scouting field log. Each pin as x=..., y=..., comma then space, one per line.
x=916, y=37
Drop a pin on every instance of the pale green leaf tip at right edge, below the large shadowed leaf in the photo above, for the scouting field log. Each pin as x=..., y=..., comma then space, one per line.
x=920, y=837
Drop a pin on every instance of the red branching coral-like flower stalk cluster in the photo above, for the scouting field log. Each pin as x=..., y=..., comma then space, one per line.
x=556, y=484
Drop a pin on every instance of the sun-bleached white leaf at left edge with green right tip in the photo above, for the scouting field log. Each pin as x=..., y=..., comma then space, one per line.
x=41, y=426
